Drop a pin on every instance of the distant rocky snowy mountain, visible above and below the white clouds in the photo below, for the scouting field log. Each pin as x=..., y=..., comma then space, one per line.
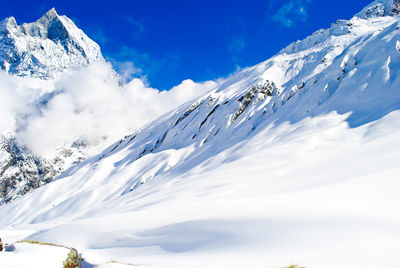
x=44, y=49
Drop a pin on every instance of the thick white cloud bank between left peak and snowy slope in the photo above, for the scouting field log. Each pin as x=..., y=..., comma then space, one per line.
x=89, y=104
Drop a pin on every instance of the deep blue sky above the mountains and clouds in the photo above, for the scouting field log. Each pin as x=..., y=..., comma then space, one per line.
x=169, y=41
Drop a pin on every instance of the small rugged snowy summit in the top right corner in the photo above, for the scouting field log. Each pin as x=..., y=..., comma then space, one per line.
x=380, y=8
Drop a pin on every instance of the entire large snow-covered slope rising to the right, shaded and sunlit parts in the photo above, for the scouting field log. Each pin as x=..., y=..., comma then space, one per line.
x=293, y=160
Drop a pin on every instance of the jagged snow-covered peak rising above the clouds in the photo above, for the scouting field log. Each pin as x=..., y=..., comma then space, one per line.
x=45, y=48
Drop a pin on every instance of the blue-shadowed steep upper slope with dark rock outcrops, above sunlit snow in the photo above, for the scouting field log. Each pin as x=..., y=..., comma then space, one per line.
x=335, y=69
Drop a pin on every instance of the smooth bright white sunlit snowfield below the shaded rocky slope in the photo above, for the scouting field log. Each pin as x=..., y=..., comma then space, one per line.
x=318, y=193
